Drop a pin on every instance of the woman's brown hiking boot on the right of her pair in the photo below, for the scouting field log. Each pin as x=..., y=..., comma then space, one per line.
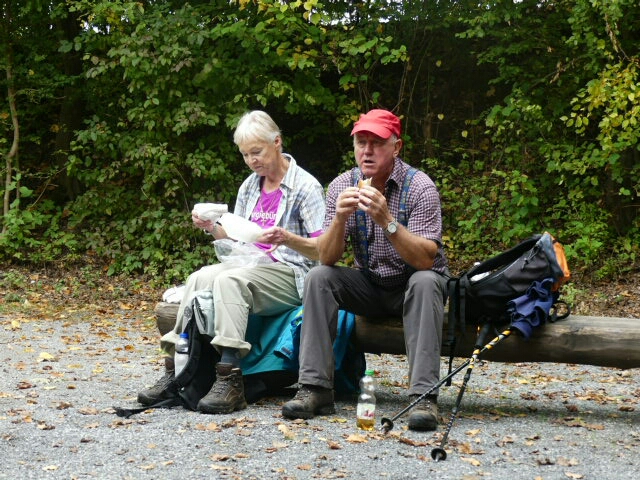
x=227, y=393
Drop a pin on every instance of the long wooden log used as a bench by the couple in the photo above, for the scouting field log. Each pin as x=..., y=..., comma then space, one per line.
x=585, y=340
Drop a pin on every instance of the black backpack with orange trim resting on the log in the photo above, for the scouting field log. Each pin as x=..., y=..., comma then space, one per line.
x=485, y=293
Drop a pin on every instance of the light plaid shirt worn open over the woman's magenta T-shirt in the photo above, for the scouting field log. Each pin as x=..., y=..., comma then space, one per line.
x=300, y=211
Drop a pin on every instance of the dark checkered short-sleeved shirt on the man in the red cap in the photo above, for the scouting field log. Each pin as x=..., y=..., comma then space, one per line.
x=386, y=267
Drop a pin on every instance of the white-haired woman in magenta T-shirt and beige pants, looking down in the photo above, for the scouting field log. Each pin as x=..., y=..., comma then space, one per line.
x=288, y=204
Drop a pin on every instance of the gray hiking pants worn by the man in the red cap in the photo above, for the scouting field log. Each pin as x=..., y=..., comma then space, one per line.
x=420, y=303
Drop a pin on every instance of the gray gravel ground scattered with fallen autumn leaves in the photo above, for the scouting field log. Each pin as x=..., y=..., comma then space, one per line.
x=61, y=378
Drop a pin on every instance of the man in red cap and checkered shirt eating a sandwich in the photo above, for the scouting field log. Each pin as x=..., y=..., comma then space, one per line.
x=400, y=269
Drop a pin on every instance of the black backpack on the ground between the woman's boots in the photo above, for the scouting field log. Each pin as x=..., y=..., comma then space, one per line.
x=198, y=375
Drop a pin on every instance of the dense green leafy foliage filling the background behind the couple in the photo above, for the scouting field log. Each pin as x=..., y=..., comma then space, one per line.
x=524, y=113
